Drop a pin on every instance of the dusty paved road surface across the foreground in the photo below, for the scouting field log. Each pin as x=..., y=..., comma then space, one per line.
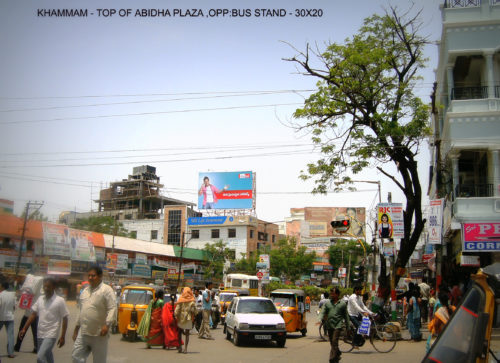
x=298, y=349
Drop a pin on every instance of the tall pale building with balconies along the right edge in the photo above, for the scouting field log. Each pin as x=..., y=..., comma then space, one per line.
x=465, y=148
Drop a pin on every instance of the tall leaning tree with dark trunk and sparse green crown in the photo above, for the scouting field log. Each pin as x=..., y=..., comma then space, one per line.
x=365, y=113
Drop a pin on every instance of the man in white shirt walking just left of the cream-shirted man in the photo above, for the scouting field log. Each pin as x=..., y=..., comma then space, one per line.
x=51, y=311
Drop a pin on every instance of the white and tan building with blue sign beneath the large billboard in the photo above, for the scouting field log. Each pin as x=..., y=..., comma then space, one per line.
x=243, y=234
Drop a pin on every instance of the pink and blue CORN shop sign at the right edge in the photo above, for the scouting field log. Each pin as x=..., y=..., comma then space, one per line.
x=481, y=237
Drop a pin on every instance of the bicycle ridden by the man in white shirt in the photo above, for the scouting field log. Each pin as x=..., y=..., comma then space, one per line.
x=382, y=337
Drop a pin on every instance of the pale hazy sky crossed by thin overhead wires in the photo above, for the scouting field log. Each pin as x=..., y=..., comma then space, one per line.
x=179, y=88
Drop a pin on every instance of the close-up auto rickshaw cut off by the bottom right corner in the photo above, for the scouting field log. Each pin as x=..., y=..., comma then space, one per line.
x=467, y=335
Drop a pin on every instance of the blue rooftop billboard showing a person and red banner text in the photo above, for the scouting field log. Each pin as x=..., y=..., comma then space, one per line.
x=225, y=190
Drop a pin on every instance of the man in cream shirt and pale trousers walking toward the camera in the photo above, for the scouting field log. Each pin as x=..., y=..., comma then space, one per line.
x=97, y=315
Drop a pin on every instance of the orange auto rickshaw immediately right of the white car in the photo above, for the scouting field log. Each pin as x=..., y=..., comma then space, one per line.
x=291, y=305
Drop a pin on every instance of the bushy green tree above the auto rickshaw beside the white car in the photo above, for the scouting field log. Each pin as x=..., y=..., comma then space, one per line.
x=289, y=260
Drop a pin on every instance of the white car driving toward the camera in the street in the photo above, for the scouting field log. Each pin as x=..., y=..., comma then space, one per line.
x=254, y=318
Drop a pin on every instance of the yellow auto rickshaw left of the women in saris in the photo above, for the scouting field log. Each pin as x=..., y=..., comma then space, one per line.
x=134, y=301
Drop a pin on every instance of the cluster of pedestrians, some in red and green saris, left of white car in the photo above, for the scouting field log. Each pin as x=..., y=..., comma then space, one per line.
x=164, y=324
